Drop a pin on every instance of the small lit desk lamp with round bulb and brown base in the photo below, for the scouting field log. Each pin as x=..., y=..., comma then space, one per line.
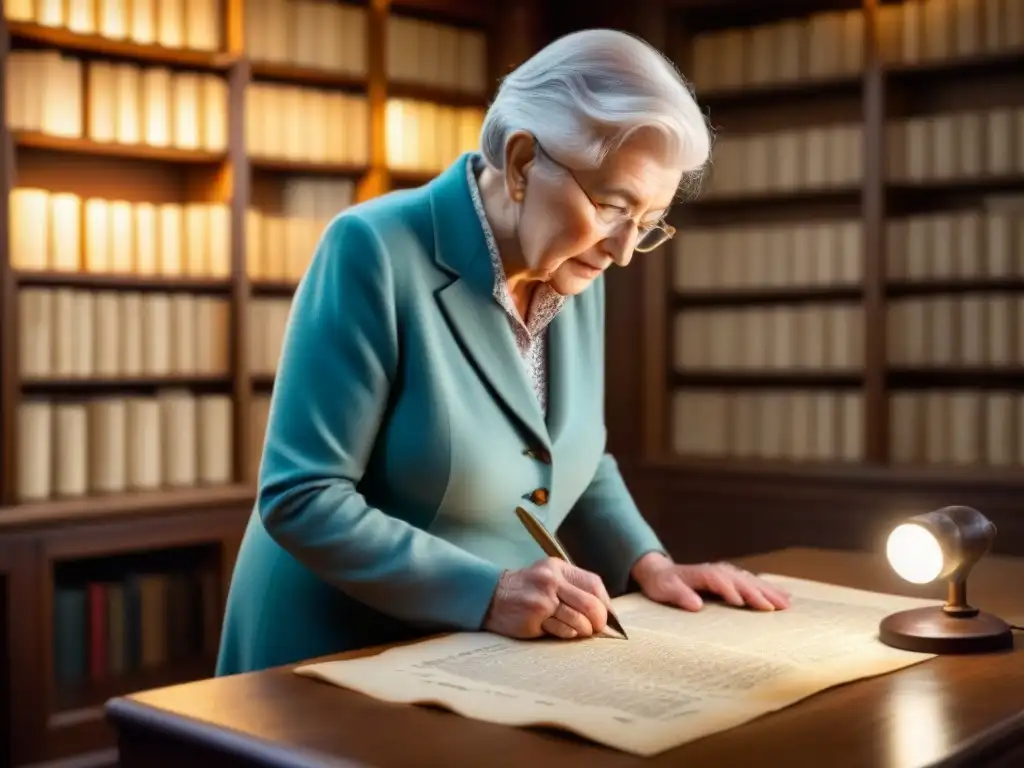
x=944, y=544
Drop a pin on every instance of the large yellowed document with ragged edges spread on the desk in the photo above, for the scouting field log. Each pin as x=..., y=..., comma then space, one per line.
x=679, y=677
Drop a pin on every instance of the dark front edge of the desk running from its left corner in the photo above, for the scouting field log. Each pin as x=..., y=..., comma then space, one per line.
x=127, y=715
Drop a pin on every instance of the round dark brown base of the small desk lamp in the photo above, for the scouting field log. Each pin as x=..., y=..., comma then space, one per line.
x=932, y=630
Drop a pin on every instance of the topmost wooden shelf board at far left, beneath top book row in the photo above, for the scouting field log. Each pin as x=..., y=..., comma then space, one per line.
x=73, y=42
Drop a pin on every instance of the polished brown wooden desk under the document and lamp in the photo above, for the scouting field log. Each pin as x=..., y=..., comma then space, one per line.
x=948, y=711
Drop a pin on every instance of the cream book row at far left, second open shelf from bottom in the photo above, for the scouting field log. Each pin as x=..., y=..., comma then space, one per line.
x=66, y=333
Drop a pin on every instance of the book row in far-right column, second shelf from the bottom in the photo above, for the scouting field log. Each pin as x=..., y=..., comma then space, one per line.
x=971, y=330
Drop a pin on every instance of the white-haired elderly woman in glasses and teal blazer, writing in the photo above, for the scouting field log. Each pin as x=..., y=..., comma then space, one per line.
x=444, y=364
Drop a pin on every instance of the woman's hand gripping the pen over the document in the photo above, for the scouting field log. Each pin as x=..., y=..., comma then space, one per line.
x=549, y=598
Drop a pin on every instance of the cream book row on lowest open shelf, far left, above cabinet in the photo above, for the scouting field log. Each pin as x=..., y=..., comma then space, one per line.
x=110, y=445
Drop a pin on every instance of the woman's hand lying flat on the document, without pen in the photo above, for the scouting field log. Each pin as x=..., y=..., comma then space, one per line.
x=666, y=582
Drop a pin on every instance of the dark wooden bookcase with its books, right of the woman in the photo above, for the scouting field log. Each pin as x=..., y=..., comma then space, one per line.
x=874, y=274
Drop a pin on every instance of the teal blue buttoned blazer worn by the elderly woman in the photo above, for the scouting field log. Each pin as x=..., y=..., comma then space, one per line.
x=403, y=434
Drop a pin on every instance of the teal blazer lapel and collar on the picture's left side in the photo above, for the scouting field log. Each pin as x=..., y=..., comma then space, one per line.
x=480, y=324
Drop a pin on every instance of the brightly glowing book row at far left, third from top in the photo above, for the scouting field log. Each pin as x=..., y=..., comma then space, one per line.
x=60, y=232
